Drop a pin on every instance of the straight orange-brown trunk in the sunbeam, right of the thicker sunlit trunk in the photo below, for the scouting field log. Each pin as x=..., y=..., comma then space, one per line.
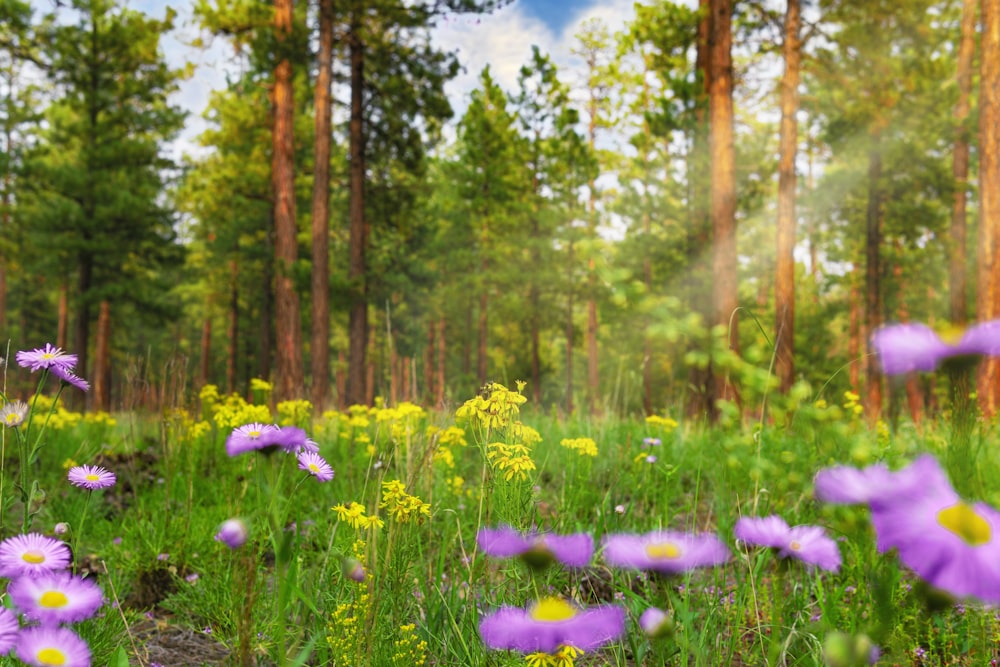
x=784, y=279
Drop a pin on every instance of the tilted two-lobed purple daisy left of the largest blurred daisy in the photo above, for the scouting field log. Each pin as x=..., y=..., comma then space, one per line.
x=809, y=544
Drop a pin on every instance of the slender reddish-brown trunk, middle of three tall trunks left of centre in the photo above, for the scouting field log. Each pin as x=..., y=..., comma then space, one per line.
x=319, y=347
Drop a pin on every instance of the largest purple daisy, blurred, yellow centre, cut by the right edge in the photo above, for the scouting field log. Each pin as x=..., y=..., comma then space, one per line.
x=950, y=544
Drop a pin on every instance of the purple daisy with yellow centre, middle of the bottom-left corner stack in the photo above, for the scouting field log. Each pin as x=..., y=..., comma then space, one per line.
x=56, y=597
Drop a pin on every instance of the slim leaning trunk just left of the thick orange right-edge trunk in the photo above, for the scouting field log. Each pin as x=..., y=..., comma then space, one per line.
x=957, y=283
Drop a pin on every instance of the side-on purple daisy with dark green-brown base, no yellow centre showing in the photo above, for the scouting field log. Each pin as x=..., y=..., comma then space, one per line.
x=537, y=549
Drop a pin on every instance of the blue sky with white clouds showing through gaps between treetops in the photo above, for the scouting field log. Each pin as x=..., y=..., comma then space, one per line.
x=502, y=40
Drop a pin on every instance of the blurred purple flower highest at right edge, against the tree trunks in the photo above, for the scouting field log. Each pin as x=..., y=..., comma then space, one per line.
x=915, y=347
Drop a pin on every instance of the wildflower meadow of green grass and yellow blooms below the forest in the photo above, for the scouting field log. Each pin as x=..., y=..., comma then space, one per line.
x=385, y=563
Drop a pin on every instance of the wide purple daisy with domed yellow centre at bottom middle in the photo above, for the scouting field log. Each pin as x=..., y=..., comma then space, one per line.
x=550, y=623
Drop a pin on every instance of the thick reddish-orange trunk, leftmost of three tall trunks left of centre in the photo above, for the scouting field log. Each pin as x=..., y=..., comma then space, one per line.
x=288, y=327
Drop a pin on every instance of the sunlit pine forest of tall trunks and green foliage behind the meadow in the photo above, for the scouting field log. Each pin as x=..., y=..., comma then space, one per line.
x=716, y=216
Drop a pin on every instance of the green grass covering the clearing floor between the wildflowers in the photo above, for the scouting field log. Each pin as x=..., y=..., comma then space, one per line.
x=284, y=597
